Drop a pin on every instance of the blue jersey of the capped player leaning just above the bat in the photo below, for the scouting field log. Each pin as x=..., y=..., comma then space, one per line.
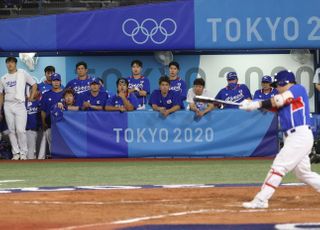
x=237, y=94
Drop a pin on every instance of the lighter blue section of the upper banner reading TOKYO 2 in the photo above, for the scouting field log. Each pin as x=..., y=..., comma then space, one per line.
x=234, y=24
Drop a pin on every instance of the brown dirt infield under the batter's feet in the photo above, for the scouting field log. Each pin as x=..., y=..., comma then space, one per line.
x=116, y=209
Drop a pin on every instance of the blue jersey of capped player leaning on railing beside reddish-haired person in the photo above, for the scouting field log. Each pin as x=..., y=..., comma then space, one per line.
x=99, y=100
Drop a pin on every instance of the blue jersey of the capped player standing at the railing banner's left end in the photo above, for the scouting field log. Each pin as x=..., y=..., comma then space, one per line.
x=48, y=100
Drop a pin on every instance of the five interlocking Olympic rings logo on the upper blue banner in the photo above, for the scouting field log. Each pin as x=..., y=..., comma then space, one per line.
x=149, y=29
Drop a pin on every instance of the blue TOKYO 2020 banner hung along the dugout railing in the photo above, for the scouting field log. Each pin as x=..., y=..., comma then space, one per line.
x=221, y=133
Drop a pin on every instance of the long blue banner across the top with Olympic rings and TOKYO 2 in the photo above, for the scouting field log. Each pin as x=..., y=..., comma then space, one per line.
x=178, y=25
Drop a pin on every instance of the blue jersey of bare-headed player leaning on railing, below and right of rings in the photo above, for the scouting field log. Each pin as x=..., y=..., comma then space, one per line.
x=172, y=99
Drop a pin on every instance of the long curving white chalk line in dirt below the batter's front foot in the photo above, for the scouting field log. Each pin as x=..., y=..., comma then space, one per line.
x=200, y=211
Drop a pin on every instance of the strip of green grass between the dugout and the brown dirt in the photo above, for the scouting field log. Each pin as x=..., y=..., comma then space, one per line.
x=38, y=174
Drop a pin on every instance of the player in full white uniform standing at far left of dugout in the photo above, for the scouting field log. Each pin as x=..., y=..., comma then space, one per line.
x=12, y=98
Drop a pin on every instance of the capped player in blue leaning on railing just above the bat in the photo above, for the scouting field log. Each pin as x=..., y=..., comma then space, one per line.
x=233, y=92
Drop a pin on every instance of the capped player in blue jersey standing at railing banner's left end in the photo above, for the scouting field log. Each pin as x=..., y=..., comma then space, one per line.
x=48, y=100
